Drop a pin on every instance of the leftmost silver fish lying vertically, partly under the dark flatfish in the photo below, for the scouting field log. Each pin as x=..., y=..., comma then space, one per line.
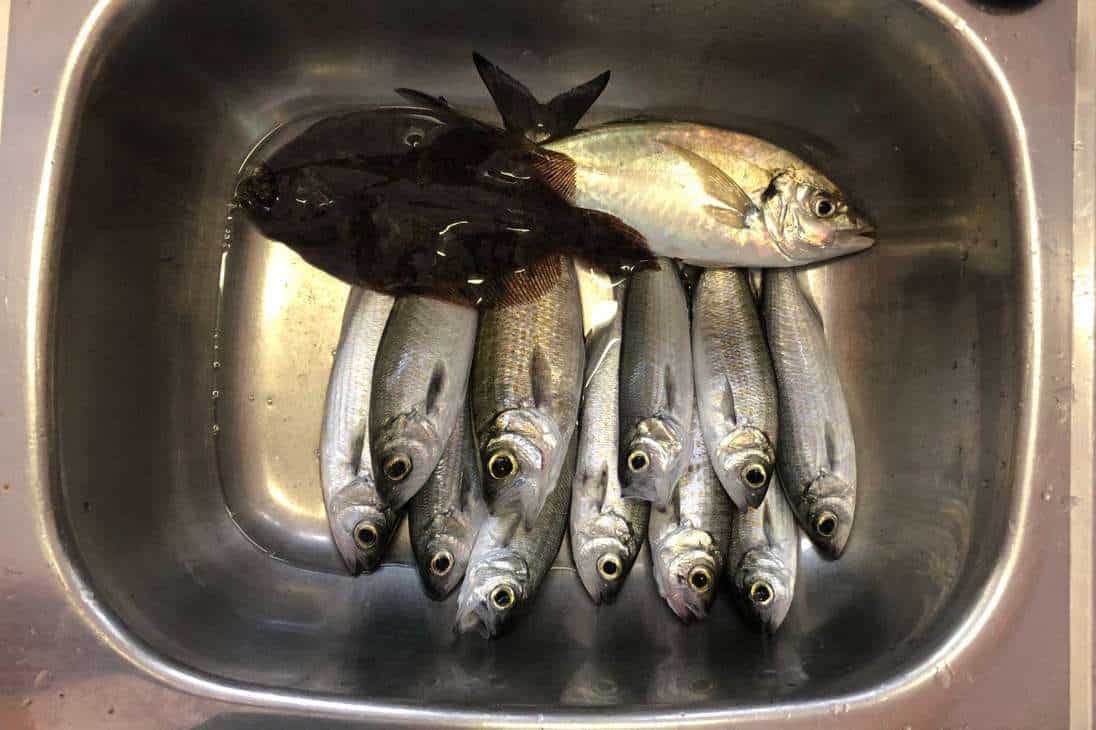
x=362, y=527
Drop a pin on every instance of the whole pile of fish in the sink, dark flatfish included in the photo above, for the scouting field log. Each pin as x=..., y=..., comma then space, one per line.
x=479, y=389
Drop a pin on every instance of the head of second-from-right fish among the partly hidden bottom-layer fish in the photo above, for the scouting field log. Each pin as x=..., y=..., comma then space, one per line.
x=687, y=572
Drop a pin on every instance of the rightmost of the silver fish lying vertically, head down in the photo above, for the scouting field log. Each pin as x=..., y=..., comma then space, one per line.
x=816, y=454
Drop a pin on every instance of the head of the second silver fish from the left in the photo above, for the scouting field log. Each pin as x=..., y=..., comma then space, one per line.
x=405, y=453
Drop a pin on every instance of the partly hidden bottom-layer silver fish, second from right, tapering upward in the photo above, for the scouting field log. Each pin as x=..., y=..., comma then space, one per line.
x=689, y=538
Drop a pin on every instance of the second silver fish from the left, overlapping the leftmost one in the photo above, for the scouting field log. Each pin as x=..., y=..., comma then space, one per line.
x=419, y=386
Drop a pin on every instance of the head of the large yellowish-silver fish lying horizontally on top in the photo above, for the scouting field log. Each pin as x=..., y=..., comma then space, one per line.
x=810, y=220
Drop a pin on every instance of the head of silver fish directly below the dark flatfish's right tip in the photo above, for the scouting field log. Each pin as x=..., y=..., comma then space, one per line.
x=652, y=461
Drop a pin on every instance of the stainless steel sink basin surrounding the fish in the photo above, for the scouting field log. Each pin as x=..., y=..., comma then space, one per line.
x=187, y=378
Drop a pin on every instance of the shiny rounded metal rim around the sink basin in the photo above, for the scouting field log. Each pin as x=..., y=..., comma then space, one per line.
x=60, y=547
